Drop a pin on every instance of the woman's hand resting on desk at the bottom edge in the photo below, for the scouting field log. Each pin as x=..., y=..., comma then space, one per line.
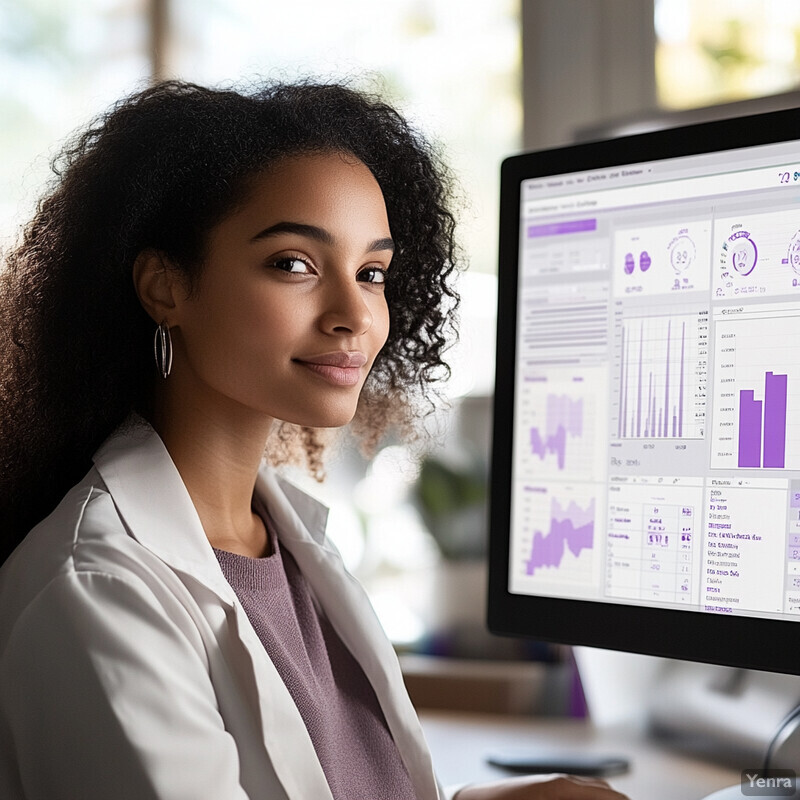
x=541, y=787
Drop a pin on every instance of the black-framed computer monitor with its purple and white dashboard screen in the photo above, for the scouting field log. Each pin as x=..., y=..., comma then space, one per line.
x=646, y=460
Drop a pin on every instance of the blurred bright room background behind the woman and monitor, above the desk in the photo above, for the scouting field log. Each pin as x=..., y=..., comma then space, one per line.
x=485, y=80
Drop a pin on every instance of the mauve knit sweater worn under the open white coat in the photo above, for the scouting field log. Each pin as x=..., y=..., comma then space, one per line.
x=334, y=697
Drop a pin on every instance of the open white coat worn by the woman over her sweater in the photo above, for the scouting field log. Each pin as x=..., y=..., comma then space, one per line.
x=128, y=668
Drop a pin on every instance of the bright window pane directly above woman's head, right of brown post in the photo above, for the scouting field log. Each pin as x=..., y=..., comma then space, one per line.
x=455, y=74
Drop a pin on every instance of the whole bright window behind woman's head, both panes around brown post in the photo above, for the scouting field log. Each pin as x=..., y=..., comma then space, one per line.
x=455, y=75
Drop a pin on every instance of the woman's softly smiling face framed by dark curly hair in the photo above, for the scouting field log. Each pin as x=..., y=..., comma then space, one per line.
x=289, y=312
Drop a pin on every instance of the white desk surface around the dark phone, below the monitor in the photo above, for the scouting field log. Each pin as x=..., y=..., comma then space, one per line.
x=459, y=743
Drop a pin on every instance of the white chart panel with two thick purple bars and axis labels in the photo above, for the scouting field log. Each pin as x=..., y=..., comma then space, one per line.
x=757, y=387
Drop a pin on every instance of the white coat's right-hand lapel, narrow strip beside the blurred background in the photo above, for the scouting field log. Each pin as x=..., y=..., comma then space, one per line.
x=345, y=604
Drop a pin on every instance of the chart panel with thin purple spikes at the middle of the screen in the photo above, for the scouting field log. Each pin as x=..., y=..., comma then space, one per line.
x=661, y=377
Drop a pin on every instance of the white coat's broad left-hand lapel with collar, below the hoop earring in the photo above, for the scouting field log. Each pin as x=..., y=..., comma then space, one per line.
x=155, y=506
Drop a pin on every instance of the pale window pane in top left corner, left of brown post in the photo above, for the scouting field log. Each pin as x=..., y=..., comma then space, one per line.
x=61, y=63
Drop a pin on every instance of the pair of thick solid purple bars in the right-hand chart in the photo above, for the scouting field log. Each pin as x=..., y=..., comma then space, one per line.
x=767, y=417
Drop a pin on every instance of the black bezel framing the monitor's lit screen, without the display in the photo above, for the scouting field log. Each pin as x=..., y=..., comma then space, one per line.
x=746, y=642
